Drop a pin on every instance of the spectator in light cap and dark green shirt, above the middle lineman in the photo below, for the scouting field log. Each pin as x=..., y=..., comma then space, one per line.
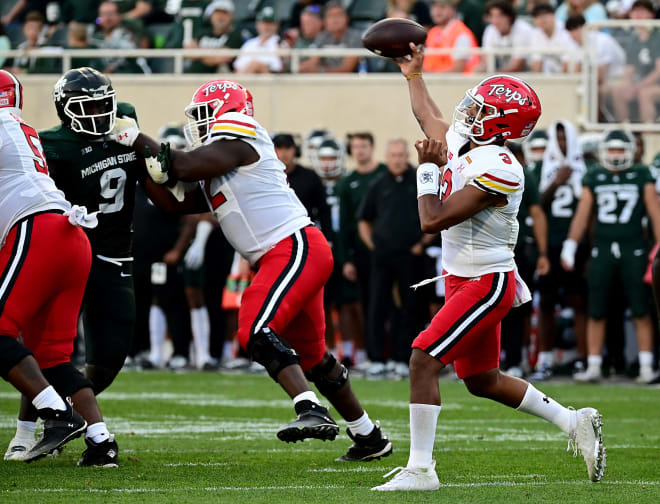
x=221, y=34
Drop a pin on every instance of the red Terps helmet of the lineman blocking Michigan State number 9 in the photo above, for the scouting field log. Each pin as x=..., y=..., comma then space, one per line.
x=209, y=102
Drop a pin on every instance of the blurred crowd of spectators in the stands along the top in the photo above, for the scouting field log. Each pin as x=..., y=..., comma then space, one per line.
x=628, y=59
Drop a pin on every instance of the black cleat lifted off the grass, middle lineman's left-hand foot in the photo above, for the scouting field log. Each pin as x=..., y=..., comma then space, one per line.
x=313, y=422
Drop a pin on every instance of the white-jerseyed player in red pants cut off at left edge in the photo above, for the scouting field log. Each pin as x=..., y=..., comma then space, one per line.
x=44, y=262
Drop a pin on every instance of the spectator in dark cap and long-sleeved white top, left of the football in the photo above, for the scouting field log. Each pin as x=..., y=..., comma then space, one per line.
x=266, y=40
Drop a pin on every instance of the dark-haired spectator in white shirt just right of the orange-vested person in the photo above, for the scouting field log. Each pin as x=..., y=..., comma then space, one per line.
x=505, y=31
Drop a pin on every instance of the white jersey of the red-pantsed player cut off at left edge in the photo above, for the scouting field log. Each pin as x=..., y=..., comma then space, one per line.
x=25, y=187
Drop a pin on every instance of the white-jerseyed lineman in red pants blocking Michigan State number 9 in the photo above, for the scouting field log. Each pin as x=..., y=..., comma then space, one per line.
x=281, y=319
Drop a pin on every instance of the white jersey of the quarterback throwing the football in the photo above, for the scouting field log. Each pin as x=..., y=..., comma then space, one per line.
x=483, y=243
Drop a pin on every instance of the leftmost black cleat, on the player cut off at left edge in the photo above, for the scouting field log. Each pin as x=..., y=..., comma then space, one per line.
x=60, y=427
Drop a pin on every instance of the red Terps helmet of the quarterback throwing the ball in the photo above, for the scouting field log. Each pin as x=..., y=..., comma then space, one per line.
x=501, y=107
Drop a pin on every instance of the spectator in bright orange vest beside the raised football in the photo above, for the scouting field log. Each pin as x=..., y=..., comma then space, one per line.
x=450, y=33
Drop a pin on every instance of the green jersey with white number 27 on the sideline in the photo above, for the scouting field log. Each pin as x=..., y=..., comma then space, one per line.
x=619, y=203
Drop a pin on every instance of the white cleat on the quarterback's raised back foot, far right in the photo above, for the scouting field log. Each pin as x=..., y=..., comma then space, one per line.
x=587, y=438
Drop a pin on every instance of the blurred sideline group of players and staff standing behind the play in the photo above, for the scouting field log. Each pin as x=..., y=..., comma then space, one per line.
x=188, y=279
